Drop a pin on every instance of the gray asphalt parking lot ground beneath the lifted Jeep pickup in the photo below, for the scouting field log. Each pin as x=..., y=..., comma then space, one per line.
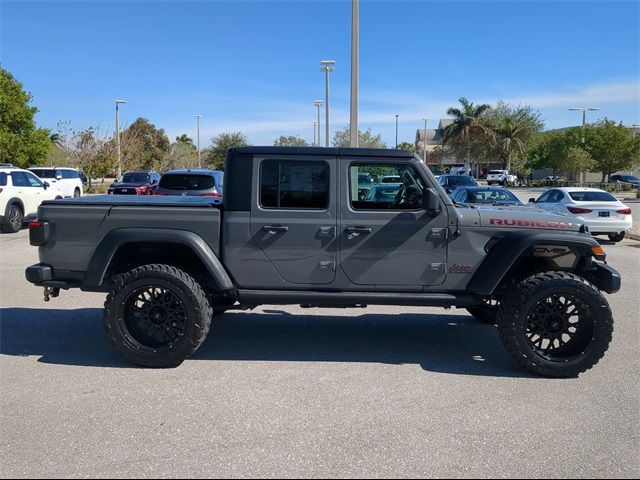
x=284, y=392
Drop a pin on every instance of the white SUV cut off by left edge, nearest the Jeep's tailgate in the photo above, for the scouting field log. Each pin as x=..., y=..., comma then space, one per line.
x=21, y=193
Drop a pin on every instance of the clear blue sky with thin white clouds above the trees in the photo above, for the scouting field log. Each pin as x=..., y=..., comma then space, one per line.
x=253, y=66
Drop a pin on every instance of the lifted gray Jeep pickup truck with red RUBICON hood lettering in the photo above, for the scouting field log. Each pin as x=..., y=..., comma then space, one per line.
x=295, y=228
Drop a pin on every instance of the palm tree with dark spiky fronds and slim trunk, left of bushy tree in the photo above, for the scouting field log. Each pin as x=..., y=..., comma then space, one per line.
x=467, y=123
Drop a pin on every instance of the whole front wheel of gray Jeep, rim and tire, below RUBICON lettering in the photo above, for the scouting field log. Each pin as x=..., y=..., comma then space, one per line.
x=555, y=324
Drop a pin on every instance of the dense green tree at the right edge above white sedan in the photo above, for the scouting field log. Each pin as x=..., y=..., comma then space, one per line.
x=612, y=147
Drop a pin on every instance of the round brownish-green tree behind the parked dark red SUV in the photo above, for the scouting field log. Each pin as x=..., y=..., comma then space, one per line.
x=143, y=145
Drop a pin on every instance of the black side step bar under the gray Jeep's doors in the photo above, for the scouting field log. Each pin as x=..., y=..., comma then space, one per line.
x=278, y=297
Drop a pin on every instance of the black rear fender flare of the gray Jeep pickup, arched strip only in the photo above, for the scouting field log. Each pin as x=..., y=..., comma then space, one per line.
x=115, y=239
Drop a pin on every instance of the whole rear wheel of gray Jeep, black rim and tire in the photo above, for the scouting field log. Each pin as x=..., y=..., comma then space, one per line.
x=157, y=315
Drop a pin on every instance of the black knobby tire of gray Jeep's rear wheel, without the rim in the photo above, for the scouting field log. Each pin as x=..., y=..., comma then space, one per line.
x=117, y=319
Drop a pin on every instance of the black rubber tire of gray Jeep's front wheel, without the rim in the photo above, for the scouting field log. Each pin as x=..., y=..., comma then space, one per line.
x=522, y=297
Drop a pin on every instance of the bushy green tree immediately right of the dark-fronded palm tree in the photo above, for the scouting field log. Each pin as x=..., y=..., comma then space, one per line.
x=512, y=127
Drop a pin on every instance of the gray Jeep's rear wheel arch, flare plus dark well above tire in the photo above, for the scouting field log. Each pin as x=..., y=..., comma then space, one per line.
x=114, y=253
